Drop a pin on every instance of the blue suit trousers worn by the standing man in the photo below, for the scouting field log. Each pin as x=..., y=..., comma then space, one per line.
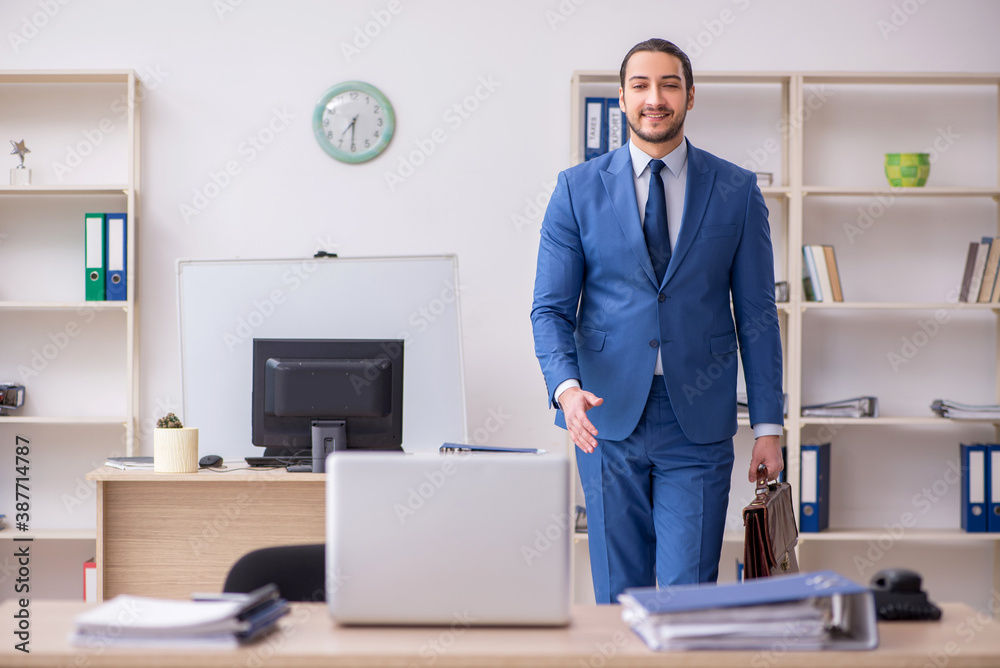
x=656, y=503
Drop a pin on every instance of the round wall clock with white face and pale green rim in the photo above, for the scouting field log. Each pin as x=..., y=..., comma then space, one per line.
x=354, y=122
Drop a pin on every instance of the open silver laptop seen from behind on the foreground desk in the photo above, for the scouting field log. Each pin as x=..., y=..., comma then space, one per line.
x=457, y=540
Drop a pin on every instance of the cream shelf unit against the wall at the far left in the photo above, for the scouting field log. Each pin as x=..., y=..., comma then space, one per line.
x=67, y=113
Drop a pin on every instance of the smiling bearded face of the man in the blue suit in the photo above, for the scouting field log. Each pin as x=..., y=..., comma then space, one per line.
x=653, y=99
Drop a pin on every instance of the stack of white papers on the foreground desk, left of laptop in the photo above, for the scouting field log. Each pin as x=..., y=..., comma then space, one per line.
x=225, y=621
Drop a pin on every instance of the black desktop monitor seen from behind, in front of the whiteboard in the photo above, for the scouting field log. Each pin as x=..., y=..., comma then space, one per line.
x=313, y=396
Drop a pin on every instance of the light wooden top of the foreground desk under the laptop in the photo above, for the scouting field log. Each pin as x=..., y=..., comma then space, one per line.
x=597, y=637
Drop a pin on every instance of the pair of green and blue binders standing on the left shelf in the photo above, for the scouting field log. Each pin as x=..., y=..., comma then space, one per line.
x=105, y=255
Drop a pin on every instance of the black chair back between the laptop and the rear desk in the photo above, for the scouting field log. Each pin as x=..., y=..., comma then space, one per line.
x=298, y=570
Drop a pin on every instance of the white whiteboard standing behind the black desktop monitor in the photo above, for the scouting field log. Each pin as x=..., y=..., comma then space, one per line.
x=225, y=304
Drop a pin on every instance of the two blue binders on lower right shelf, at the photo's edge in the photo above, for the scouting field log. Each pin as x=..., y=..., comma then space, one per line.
x=980, y=487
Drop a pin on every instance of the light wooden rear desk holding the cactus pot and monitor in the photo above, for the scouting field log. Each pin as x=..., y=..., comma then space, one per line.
x=170, y=534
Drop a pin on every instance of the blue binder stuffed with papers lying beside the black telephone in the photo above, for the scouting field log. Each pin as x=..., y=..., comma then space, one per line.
x=806, y=611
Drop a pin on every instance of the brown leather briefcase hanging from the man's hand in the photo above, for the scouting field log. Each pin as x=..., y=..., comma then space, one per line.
x=771, y=533
